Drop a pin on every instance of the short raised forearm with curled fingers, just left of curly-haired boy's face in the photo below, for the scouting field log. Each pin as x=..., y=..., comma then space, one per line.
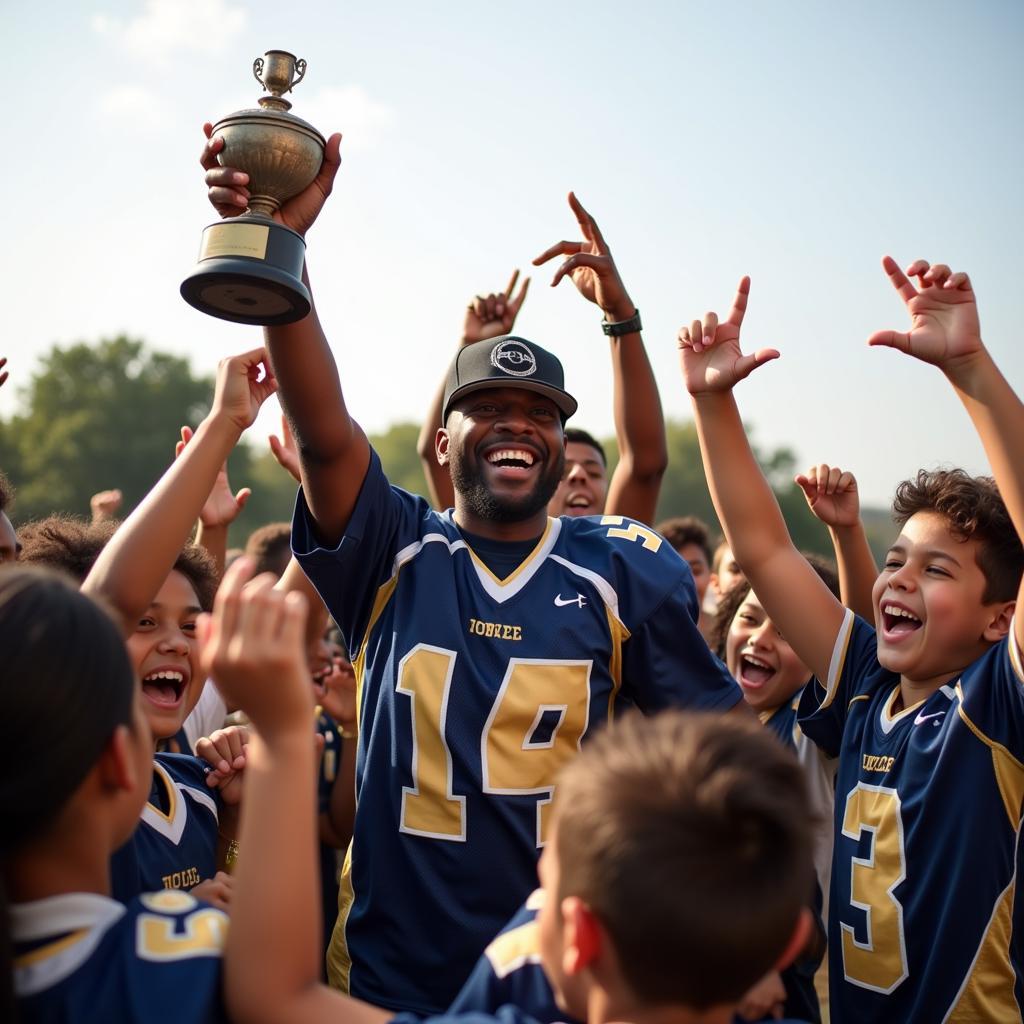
x=832, y=497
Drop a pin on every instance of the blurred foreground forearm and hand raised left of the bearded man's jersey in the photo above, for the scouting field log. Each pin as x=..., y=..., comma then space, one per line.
x=253, y=648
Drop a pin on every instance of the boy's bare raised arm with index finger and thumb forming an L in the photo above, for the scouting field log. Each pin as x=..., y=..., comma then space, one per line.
x=788, y=587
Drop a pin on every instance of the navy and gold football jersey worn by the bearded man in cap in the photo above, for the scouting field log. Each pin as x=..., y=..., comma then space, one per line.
x=473, y=692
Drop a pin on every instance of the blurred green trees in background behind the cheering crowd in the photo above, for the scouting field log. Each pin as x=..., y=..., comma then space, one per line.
x=108, y=415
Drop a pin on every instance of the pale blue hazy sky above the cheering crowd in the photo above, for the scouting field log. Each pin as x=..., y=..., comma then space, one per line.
x=793, y=142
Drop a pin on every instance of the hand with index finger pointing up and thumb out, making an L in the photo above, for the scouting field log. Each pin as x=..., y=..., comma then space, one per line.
x=710, y=353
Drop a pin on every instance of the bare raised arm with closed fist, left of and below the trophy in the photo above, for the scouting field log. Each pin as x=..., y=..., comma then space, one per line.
x=133, y=568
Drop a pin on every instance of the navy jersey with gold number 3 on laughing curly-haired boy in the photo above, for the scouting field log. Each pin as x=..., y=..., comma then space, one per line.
x=928, y=815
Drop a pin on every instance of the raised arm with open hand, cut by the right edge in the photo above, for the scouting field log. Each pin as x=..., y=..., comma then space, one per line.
x=947, y=333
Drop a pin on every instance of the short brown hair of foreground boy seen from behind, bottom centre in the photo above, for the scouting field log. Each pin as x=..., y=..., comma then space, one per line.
x=689, y=837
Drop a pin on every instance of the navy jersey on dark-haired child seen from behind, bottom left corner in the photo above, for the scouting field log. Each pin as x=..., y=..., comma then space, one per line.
x=81, y=958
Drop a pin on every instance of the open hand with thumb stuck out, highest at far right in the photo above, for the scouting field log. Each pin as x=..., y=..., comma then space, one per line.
x=944, y=314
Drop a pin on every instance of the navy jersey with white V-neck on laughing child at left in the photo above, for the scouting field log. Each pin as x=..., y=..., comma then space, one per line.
x=176, y=844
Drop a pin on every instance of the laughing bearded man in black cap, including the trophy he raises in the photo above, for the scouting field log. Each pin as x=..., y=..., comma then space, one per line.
x=489, y=642
